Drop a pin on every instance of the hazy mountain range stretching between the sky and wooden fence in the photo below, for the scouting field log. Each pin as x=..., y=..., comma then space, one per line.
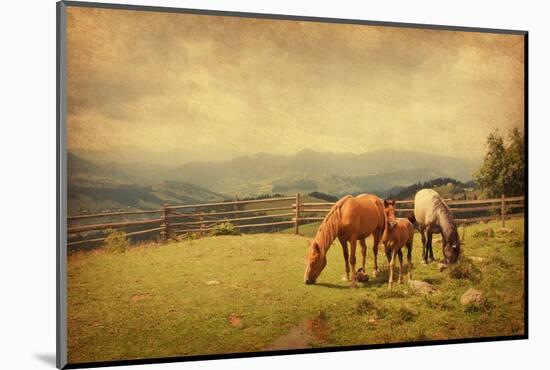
x=99, y=185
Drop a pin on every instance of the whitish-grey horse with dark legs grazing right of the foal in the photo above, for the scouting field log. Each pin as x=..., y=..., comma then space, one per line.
x=433, y=216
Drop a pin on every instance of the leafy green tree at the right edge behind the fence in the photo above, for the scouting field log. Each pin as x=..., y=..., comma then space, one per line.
x=502, y=170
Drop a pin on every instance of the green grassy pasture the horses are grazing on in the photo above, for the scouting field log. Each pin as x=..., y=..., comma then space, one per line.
x=246, y=293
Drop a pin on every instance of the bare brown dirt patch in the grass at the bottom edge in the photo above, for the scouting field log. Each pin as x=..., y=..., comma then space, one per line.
x=301, y=336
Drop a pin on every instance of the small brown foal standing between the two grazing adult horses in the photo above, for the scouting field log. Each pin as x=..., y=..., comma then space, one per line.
x=397, y=233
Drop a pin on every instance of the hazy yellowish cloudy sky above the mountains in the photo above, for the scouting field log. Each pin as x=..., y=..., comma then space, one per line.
x=149, y=85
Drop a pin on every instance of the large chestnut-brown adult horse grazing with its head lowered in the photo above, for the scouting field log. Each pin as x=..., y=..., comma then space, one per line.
x=350, y=220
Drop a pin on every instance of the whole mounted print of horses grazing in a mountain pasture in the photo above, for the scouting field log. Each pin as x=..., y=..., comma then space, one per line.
x=234, y=184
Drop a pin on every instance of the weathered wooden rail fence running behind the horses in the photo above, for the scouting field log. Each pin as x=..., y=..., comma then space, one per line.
x=171, y=222
